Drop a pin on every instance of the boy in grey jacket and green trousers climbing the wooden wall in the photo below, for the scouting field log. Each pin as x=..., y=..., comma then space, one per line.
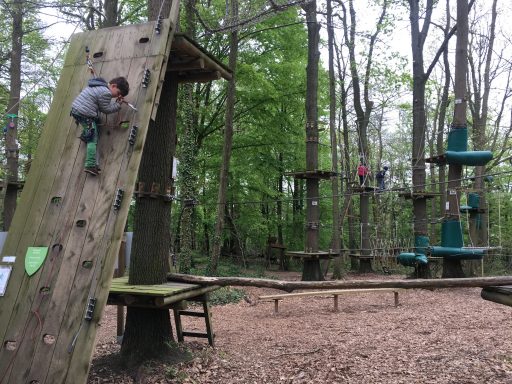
x=95, y=98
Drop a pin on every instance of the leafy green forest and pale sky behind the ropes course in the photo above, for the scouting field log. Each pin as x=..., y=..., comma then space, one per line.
x=264, y=203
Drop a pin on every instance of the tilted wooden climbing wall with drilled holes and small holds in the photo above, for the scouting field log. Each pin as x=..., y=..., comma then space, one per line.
x=45, y=336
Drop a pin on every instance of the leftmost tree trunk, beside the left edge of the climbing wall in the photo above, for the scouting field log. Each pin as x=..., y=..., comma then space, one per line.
x=11, y=137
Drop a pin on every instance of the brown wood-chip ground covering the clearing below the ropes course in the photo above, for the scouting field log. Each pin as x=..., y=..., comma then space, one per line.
x=434, y=336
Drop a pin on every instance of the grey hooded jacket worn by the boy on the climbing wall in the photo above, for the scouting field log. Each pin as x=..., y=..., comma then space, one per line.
x=94, y=99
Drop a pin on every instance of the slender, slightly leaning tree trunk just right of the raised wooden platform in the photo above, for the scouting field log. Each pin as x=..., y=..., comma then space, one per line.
x=226, y=151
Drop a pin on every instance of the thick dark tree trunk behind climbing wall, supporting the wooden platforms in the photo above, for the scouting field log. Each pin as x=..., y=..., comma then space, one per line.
x=148, y=331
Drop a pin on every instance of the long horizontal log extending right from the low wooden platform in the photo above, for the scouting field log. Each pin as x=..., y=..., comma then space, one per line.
x=290, y=286
